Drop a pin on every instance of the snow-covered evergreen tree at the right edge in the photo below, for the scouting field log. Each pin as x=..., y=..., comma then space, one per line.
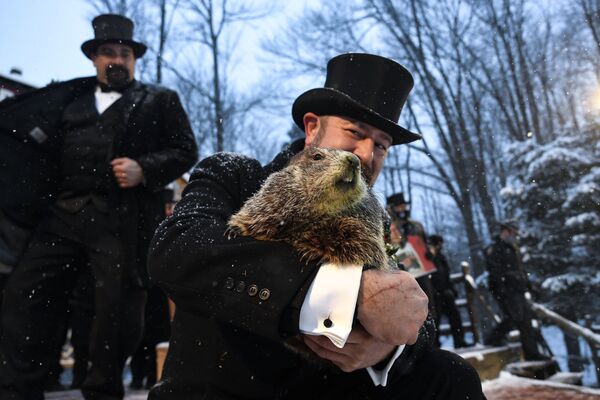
x=554, y=191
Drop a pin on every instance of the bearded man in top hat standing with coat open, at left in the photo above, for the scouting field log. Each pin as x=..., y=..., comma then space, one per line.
x=94, y=155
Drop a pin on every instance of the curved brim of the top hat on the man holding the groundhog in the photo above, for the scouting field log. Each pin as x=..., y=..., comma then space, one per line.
x=327, y=101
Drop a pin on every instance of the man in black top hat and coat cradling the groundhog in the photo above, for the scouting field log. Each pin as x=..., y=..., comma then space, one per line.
x=239, y=299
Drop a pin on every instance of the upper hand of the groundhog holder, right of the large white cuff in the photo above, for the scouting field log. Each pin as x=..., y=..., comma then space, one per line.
x=391, y=306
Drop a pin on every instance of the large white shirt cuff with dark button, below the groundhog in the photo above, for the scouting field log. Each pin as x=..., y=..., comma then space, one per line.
x=329, y=305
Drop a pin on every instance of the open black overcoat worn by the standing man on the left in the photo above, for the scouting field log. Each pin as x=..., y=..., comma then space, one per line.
x=155, y=132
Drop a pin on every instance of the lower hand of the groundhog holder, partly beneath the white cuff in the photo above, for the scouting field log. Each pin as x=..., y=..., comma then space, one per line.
x=362, y=350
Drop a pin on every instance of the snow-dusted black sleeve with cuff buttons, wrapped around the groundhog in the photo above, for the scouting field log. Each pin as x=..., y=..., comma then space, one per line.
x=241, y=281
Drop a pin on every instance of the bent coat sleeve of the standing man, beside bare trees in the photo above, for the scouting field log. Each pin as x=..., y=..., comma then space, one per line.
x=178, y=151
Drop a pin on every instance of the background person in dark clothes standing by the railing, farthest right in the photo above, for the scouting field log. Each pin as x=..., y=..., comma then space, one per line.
x=508, y=284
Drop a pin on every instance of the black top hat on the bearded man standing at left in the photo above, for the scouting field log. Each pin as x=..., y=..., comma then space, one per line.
x=112, y=28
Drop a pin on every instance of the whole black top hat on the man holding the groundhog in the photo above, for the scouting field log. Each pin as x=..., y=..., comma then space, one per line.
x=369, y=88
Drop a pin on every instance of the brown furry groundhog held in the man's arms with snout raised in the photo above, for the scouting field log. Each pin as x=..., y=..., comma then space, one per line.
x=321, y=205
